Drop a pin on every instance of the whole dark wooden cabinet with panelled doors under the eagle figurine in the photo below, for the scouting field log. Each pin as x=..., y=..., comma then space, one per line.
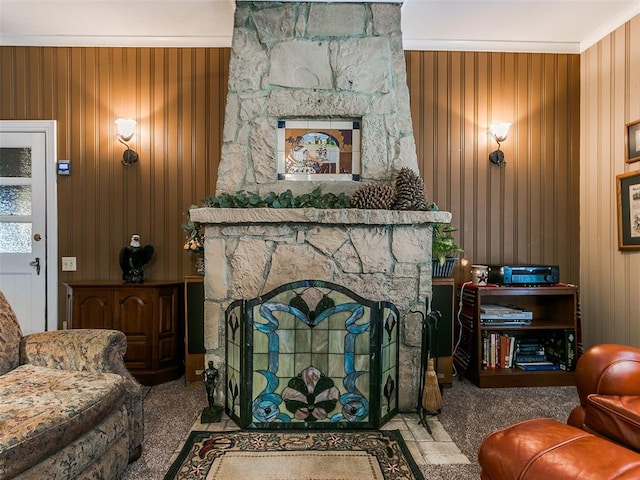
x=149, y=314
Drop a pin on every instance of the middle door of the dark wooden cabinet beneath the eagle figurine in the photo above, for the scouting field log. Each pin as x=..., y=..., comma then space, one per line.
x=134, y=316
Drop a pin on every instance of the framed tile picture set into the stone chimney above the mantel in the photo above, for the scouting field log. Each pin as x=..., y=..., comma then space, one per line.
x=317, y=150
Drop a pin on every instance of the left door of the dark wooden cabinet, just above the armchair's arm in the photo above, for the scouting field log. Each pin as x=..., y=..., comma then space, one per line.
x=92, y=308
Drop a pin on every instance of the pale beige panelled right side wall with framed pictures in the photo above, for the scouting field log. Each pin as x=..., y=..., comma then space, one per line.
x=609, y=284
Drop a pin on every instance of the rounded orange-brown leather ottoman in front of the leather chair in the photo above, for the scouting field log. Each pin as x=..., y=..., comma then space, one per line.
x=545, y=449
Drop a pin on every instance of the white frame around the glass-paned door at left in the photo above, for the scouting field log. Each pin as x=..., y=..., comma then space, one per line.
x=48, y=127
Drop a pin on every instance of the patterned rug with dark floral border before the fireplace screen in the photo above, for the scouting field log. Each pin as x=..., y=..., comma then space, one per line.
x=369, y=455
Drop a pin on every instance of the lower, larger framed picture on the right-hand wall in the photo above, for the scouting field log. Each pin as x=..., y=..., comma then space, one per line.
x=628, y=189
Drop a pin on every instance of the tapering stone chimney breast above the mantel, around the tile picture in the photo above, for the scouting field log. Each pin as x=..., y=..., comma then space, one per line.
x=315, y=61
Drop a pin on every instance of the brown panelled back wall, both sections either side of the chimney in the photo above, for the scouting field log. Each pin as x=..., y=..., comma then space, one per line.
x=526, y=211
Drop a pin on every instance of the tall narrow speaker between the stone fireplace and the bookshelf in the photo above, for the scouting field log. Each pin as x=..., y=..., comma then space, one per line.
x=443, y=301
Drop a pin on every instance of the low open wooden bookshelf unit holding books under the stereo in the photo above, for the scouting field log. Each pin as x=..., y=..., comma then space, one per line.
x=554, y=309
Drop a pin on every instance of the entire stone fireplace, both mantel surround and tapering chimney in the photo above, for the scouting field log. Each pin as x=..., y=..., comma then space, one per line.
x=299, y=61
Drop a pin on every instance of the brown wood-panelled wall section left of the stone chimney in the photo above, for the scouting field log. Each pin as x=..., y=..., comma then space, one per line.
x=177, y=96
